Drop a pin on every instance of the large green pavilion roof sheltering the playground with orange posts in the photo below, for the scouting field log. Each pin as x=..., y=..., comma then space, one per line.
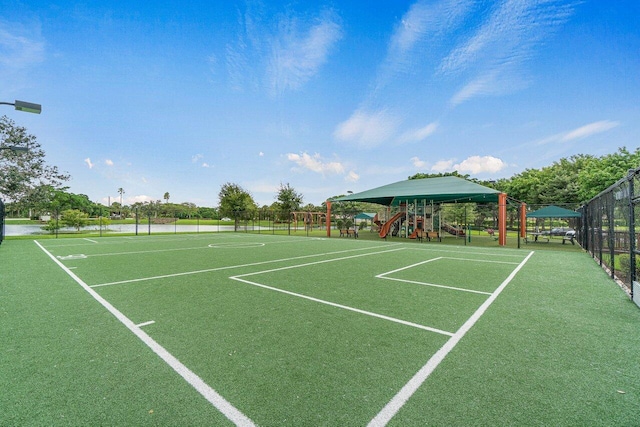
x=438, y=190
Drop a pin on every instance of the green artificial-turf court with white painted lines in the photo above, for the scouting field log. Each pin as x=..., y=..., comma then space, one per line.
x=215, y=329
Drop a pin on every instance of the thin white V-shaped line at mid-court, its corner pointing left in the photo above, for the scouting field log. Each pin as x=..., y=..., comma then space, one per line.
x=333, y=304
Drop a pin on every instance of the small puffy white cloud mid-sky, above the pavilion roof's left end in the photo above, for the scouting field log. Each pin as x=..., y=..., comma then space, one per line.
x=367, y=129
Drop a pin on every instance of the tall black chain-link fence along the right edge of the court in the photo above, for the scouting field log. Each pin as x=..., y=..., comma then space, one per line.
x=609, y=231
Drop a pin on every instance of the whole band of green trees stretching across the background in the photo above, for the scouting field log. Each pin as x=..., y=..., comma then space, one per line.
x=31, y=186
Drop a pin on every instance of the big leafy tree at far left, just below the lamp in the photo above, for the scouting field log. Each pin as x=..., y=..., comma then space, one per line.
x=22, y=174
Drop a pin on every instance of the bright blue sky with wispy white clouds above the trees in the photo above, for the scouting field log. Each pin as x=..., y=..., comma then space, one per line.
x=330, y=97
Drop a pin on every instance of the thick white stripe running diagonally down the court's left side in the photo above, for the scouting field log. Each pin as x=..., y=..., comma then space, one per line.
x=231, y=412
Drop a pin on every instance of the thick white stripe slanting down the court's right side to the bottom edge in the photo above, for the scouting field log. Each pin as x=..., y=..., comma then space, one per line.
x=398, y=401
